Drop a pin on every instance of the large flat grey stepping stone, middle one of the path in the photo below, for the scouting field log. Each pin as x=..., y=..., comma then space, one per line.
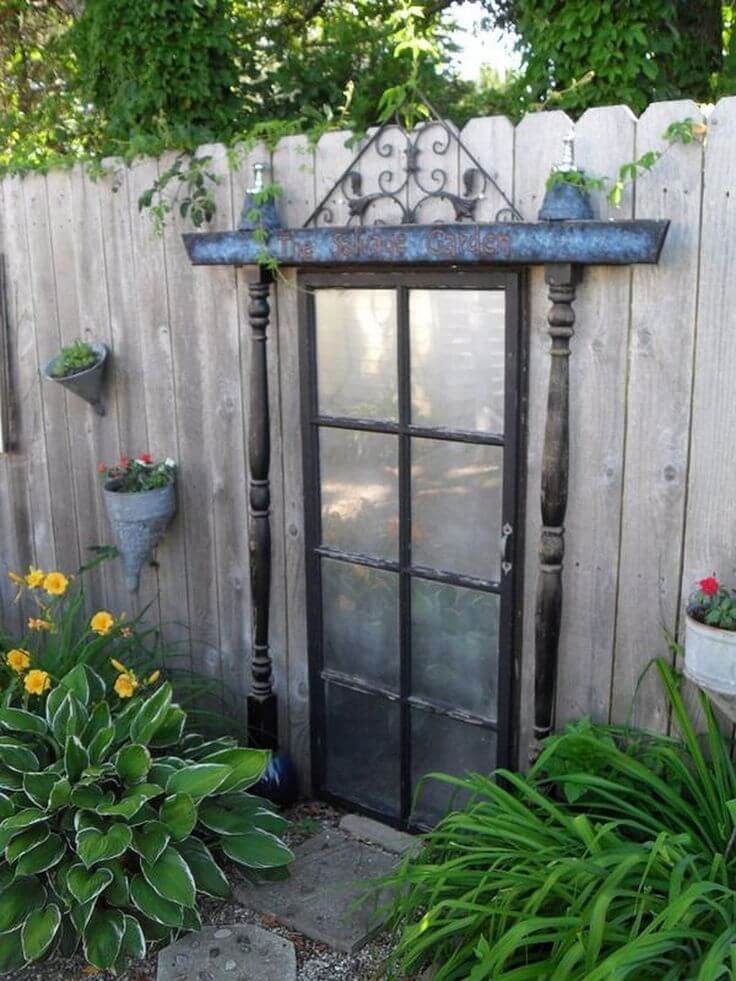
x=329, y=873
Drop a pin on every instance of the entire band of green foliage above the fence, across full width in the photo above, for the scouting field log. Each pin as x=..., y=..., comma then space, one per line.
x=123, y=77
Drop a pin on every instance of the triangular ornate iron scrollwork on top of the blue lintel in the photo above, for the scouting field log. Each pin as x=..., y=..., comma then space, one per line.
x=405, y=185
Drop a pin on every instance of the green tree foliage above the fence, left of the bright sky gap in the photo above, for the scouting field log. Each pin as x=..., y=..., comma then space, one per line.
x=130, y=76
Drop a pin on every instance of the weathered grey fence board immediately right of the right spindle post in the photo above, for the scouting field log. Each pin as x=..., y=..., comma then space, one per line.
x=604, y=139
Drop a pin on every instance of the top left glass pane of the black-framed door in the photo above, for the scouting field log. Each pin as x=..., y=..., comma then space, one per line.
x=356, y=353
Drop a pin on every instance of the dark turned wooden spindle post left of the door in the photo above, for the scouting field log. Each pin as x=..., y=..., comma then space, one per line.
x=262, y=717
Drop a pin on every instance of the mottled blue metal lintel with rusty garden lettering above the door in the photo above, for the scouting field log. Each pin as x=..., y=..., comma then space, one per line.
x=584, y=242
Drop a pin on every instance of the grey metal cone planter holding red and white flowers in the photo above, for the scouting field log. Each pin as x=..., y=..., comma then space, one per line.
x=139, y=520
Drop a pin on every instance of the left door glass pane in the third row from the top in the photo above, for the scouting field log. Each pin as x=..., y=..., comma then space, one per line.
x=360, y=619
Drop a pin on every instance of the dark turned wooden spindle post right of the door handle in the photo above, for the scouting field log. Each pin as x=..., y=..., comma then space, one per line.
x=561, y=280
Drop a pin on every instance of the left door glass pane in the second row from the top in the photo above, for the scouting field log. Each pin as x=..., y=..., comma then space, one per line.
x=360, y=494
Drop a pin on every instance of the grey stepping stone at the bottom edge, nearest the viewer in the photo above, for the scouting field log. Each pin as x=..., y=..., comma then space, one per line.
x=241, y=952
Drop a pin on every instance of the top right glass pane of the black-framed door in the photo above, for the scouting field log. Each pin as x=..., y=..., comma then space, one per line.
x=457, y=342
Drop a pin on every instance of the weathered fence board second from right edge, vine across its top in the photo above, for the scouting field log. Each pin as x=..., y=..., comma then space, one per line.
x=663, y=311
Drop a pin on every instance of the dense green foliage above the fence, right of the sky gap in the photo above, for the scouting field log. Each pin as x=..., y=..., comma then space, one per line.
x=628, y=51
